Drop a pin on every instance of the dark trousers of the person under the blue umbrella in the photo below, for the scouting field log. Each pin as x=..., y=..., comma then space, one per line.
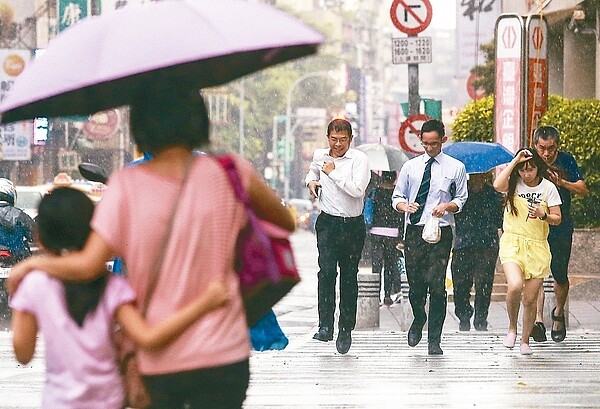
x=473, y=265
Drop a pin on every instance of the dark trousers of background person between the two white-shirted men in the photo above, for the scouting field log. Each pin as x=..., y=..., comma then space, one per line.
x=385, y=259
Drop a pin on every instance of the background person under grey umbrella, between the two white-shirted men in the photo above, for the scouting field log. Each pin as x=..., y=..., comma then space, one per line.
x=386, y=234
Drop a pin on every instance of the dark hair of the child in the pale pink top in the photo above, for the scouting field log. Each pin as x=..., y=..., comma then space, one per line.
x=63, y=224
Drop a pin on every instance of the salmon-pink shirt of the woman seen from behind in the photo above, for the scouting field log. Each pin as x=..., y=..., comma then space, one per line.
x=132, y=217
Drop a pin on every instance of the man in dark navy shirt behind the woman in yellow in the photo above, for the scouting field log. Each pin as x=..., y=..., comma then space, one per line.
x=567, y=177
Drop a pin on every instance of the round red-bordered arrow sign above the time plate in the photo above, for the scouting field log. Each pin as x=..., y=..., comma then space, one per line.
x=411, y=16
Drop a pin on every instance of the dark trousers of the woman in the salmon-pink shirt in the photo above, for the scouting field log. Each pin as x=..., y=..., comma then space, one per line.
x=222, y=387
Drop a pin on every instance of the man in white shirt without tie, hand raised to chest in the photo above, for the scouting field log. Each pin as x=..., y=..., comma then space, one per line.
x=339, y=176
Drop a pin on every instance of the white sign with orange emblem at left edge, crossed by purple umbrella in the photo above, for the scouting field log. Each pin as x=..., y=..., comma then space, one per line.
x=15, y=138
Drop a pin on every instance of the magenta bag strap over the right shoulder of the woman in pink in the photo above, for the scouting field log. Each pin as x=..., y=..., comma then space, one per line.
x=226, y=161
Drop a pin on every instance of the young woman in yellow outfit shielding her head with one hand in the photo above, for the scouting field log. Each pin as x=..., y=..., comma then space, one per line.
x=532, y=203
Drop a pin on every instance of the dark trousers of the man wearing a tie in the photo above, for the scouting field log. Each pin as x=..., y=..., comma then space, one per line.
x=426, y=272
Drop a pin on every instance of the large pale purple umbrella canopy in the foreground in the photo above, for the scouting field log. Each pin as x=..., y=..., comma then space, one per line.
x=101, y=61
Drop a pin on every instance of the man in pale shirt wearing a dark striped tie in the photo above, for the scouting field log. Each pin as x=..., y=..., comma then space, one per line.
x=429, y=185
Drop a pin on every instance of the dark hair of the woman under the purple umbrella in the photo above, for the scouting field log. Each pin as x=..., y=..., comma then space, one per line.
x=166, y=114
